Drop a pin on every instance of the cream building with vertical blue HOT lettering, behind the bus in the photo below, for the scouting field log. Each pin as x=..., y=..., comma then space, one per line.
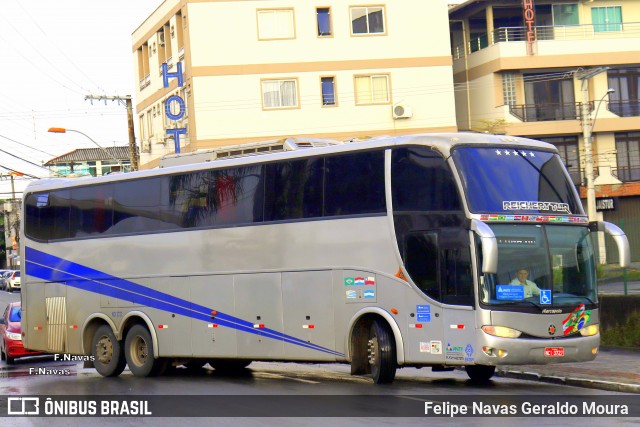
x=243, y=71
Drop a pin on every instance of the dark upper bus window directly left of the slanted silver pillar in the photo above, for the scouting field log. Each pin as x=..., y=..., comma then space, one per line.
x=354, y=184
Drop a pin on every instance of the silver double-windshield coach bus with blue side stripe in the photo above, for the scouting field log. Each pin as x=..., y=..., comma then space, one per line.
x=385, y=253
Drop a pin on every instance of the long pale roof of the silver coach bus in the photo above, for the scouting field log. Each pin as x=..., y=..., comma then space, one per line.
x=291, y=148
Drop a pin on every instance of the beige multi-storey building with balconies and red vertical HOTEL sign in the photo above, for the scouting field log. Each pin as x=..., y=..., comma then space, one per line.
x=557, y=71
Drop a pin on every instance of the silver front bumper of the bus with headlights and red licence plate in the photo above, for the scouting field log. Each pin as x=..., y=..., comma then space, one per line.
x=516, y=351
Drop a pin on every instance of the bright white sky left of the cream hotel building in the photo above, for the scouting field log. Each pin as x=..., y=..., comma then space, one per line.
x=54, y=54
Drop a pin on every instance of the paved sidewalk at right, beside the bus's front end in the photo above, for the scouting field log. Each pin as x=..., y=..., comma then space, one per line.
x=614, y=369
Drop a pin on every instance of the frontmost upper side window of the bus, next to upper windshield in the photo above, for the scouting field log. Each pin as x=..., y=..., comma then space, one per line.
x=422, y=181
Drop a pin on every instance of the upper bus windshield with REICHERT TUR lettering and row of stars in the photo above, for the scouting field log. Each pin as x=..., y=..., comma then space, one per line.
x=515, y=181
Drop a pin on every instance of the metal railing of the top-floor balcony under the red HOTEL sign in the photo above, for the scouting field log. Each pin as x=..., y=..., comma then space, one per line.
x=563, y=32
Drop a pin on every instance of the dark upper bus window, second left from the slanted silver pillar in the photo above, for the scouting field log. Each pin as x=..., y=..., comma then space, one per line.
x=294, y=189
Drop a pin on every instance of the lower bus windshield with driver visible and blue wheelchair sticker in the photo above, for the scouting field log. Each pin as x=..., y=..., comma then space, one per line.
x=541, y=265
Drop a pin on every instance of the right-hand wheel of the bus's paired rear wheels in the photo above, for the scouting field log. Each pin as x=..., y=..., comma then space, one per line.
x=138, y=349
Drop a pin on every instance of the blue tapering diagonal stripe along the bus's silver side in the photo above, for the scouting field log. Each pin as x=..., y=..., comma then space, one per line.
x=51, y=268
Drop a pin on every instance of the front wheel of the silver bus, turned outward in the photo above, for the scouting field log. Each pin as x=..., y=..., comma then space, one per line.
x=381, y=353
